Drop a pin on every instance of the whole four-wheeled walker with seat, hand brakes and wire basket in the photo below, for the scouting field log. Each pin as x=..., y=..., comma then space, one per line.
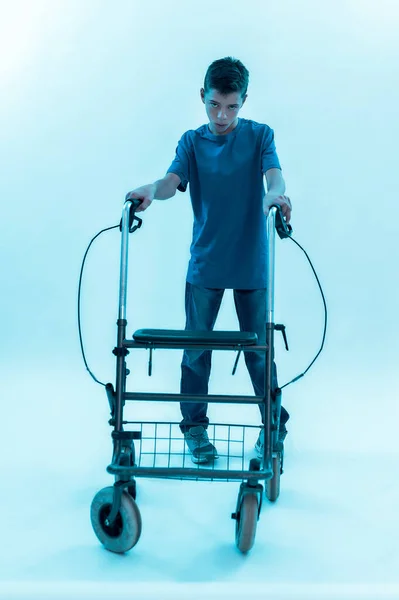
x=158, y=449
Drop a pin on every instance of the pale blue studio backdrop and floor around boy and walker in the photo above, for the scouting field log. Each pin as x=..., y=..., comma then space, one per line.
x=93, y=99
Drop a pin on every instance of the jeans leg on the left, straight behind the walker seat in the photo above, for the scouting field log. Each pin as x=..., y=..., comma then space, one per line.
x=202, y=308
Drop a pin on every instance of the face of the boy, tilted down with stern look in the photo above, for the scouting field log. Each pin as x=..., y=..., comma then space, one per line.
x=222, y=110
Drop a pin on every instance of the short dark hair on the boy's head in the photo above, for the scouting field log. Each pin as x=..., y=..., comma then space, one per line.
x=227, y=75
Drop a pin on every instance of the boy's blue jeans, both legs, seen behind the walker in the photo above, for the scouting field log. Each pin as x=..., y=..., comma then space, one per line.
x=202, y=308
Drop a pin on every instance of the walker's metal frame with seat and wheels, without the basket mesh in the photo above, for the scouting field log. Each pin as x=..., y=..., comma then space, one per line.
x=123, y=466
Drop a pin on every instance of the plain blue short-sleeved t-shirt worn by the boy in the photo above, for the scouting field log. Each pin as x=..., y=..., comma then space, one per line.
x=225, y=173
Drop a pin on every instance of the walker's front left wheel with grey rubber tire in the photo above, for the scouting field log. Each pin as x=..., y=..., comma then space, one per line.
x=127, y=529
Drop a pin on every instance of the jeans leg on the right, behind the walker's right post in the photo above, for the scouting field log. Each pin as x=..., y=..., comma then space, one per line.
x=251, y=311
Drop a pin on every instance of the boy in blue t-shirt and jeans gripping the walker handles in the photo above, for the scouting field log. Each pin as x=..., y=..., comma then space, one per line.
x=224, y=161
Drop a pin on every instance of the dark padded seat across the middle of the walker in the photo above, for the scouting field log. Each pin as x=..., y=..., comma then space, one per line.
x=177, y=336
